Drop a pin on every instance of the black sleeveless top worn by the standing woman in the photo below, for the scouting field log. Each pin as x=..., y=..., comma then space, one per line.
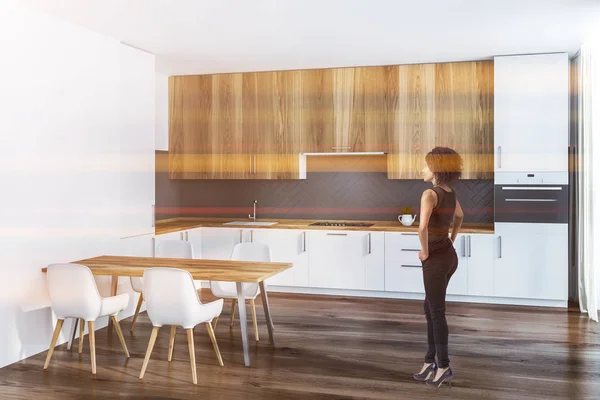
x=441, y=219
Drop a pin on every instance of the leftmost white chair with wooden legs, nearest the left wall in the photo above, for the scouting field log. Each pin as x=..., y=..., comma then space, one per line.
x=74, y=294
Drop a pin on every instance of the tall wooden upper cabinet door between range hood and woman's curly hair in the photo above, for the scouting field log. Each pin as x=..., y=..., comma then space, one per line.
x=412, y=131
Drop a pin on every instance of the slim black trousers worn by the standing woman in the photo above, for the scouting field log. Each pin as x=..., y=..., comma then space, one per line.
x=437, y=271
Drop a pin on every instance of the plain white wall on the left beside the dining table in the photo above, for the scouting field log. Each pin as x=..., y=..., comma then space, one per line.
x=59, y=164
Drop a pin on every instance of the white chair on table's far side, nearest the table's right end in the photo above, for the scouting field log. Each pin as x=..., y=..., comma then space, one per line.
x=227, y=290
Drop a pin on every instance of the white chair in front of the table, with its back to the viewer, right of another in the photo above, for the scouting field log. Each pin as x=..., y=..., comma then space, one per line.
x=172, y=299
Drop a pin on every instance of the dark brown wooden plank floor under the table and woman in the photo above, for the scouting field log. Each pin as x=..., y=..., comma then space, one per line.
x=335, y=348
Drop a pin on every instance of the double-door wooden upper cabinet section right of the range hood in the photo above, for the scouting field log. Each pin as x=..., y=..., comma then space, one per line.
x=449, y=104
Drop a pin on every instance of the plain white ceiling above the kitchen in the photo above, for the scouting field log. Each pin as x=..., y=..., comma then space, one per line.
x=209, y=36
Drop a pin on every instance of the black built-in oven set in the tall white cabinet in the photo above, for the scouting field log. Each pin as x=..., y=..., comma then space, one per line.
x=531, y=203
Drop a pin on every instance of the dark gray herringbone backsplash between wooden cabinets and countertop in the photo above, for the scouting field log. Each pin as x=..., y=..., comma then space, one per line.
x=322, y=195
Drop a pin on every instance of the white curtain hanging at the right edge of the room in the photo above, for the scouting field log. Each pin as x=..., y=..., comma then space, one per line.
x=589, y=177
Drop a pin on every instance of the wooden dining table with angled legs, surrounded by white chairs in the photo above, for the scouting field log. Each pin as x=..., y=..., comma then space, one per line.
x=211, y=270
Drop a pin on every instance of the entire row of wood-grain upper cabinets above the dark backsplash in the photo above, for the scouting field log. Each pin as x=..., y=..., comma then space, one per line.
x=256, y=125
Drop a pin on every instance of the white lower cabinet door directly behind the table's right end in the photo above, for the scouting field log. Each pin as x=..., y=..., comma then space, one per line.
x=286, y=245
